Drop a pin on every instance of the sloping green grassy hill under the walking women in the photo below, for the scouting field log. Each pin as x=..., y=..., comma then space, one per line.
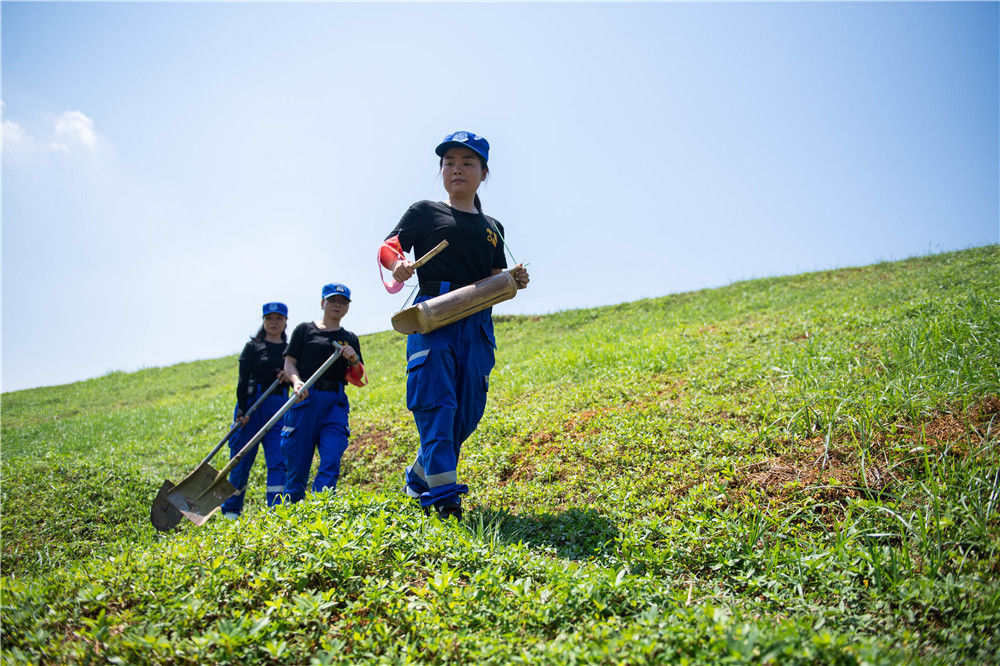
x=788, y=470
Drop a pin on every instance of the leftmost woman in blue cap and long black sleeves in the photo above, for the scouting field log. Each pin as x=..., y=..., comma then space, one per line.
x=261, y=363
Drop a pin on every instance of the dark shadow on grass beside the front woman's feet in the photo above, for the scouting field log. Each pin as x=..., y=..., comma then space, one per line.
x=575, y=534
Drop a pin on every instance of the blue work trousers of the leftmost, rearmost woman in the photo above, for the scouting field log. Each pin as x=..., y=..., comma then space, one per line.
x=272, y=455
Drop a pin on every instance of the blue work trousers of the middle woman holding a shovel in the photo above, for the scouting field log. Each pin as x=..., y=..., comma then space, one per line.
x=316, y=424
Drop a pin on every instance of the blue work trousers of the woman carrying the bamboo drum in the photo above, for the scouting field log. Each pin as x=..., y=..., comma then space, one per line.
x=447, y=378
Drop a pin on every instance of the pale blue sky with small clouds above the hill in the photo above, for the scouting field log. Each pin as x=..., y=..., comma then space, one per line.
x=168, y=168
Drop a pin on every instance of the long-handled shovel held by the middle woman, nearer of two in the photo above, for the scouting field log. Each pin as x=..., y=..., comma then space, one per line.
x=204, y=490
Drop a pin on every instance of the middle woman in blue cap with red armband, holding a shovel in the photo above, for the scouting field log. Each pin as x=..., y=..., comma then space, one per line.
x=318, y=421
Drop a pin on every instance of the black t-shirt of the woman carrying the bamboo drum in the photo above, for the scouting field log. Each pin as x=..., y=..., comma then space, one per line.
x=474, y=240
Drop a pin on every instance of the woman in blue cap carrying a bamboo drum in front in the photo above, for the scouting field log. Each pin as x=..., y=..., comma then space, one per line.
x=448, y=369
